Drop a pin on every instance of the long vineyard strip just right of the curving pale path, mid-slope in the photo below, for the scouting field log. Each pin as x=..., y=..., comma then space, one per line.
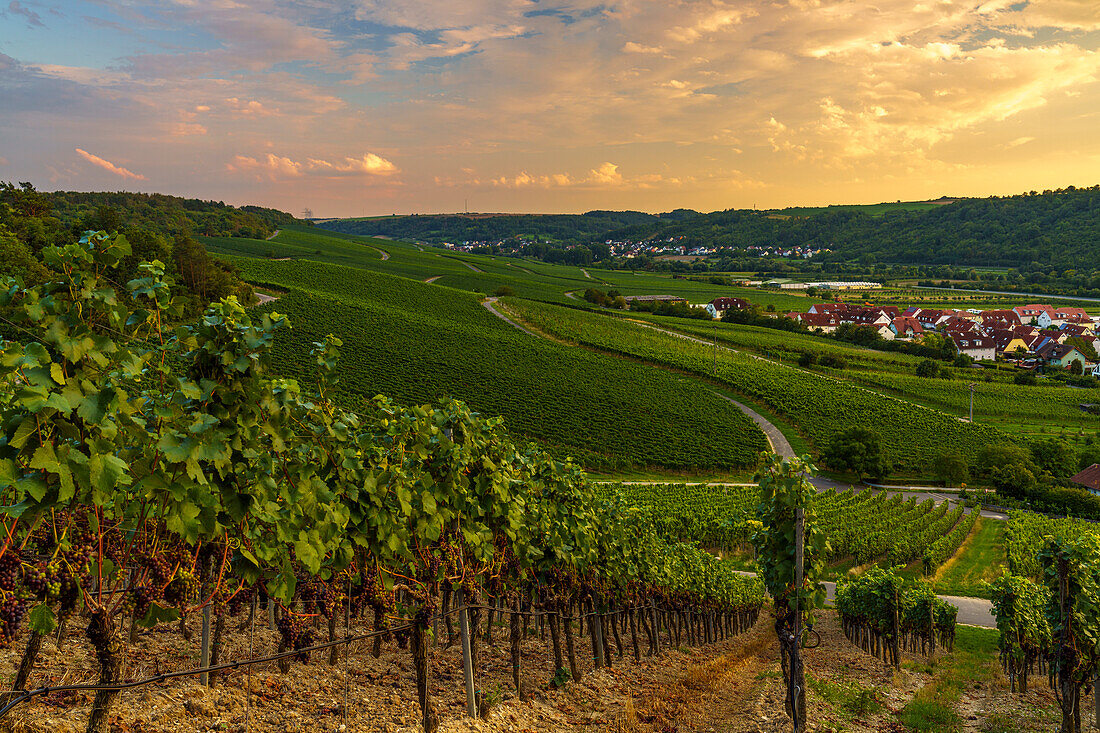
x=819, y=406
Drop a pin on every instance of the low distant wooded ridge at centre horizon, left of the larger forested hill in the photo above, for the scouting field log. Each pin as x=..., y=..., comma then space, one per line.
x=562, y=228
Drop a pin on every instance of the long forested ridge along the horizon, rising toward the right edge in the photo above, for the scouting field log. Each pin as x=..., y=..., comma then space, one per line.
x=1059, y=228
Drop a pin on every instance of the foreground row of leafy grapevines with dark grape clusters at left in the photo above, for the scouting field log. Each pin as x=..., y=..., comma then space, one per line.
x=151, y=474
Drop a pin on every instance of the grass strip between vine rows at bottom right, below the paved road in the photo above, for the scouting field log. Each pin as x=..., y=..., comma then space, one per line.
x=973, y=662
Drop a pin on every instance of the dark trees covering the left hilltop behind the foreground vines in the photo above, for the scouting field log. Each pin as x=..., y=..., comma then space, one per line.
x=157, y=227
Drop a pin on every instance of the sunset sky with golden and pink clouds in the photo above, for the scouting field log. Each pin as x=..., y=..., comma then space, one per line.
x=379, y=107
